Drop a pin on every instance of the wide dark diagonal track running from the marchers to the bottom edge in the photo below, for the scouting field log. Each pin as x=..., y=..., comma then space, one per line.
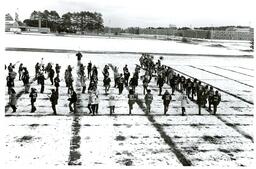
x=167, y=139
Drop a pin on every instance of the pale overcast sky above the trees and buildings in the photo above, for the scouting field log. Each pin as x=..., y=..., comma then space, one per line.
x=145, y=13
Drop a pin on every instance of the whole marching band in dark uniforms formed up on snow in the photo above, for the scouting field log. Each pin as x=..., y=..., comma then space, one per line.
x=146, y=71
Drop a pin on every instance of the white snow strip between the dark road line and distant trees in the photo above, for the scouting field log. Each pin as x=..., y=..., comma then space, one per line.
x=115, y=44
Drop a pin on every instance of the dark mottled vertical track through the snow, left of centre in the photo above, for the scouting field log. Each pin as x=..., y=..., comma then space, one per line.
x=74, y=153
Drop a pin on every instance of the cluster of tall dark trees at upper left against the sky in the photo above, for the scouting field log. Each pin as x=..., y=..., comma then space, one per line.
x=69, y=22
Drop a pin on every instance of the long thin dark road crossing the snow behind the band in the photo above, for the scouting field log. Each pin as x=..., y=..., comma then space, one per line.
x=116, y=52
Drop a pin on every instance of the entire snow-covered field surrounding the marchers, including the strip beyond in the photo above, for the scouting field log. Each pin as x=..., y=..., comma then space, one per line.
x=224, y=140
